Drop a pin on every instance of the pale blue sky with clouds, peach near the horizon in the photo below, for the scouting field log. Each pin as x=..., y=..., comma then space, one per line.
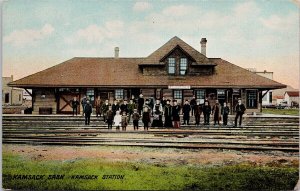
x=262, y=34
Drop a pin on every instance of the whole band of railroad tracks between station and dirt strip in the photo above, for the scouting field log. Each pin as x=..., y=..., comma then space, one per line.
x=258, y=134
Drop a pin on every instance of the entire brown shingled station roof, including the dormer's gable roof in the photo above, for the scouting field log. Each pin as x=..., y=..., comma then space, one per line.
x=125, y=72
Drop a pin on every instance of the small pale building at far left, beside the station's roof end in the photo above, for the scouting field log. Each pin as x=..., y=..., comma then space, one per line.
x=11, y=96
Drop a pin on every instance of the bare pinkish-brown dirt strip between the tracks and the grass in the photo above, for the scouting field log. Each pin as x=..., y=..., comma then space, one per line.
x=162, y=156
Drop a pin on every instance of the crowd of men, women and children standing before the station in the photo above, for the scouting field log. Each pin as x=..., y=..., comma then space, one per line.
x=151, y=114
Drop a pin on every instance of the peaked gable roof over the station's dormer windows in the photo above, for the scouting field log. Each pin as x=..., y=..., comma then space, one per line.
x=159, y=54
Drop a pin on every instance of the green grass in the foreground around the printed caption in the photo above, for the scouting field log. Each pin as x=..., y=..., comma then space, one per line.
x=139, y=176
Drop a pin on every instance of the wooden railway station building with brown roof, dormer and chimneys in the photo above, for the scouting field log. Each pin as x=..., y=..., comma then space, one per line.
x=175, y=70
